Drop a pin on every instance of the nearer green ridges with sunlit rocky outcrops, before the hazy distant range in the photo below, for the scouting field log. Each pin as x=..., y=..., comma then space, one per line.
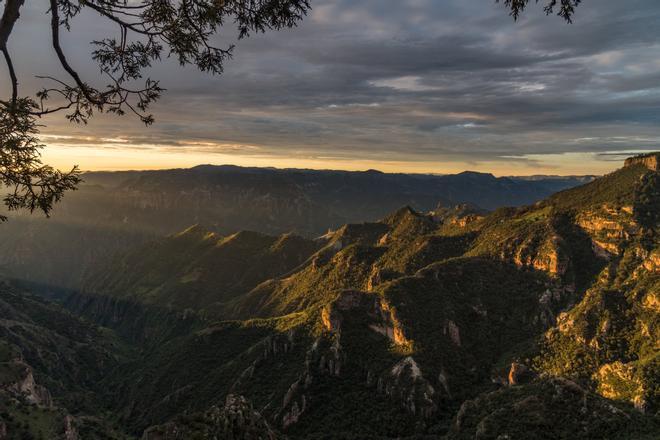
x=532, y=322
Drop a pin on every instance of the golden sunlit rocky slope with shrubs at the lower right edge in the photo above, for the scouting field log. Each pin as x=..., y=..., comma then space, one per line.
x=610, y=336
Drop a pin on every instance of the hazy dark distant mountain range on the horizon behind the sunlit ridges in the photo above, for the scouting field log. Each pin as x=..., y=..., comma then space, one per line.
x=112, y=211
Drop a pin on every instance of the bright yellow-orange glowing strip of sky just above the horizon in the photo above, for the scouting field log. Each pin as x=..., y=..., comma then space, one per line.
x=118, y=157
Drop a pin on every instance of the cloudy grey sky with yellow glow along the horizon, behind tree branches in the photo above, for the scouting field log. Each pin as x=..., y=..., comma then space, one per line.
x=396, y=85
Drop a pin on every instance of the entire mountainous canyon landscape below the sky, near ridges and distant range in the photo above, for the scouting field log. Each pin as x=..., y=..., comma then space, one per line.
x=400, y=308
